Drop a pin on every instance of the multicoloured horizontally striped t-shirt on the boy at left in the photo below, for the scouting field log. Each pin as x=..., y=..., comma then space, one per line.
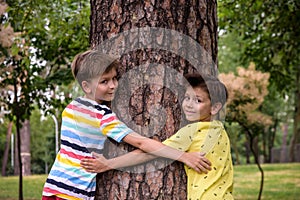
x=85, y=127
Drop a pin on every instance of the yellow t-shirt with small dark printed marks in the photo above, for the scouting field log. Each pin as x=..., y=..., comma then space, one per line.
x=210, y=138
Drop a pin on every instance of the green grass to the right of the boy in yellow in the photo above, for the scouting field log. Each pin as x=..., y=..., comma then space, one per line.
x=281, y=182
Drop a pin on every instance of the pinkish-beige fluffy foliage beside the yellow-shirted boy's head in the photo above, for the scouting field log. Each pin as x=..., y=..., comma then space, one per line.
x=247, y=91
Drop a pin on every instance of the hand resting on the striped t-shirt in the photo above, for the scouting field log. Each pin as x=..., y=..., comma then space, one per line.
x=98, y=164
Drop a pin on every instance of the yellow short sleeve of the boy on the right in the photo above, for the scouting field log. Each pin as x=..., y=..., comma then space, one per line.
x=183, y=138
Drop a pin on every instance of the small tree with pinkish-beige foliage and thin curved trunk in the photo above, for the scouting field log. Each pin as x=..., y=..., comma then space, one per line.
x=246, y=93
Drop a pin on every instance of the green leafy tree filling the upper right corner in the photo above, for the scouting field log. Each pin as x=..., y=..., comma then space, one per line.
x=269, y=33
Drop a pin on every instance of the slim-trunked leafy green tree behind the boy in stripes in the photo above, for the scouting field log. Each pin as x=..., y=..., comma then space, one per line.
x=38, y=60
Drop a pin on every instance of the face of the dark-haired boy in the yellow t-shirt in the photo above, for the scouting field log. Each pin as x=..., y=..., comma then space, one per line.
x=196, y=105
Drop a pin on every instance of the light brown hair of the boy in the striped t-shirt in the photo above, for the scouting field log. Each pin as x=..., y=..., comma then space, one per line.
x=90, y=64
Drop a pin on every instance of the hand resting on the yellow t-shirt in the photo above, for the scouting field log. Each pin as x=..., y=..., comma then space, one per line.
x=197, y=161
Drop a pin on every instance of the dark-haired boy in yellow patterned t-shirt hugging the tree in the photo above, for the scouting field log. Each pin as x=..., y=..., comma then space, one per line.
x=203, y=100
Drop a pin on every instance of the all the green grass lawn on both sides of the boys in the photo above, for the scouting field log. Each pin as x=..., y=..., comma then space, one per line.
x=282, y=182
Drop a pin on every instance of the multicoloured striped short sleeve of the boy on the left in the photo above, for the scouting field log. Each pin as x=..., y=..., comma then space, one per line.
x=112, y=127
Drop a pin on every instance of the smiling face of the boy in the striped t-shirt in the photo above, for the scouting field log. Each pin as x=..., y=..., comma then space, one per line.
x=103, y=88
